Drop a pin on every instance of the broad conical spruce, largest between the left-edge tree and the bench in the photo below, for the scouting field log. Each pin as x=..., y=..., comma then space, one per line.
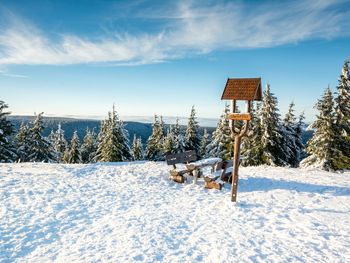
x=113, y=140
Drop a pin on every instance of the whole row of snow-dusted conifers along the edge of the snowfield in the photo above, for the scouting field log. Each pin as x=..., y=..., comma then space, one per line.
x=270, y=140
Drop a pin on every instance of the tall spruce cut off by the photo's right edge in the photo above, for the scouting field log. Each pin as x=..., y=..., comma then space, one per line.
x=342, y=115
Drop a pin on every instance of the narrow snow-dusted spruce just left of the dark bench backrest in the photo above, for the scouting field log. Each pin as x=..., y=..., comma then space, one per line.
x=154, y=149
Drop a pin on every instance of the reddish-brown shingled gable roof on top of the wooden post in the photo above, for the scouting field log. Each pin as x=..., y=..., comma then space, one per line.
x=242, y=89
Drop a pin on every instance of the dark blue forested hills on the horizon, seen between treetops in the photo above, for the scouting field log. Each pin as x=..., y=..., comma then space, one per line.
x=69, y=125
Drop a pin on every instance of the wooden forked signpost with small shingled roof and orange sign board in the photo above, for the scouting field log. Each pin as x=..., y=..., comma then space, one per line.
x=249, y=90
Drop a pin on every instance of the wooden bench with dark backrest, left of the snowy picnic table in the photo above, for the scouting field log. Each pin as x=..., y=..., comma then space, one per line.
x=180, y=158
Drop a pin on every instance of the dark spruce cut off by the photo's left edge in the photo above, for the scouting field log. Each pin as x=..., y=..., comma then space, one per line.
x=7, y=149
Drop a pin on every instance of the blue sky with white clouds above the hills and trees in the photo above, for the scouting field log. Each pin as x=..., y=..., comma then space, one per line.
x=78, y=58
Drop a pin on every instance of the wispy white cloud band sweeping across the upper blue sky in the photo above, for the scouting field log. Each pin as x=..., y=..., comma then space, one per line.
x=191, y=29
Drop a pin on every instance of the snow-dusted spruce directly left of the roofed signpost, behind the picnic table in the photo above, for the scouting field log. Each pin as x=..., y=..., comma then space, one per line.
x=221, y=144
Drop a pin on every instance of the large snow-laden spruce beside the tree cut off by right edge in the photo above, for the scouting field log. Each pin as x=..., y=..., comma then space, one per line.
x=322, y=146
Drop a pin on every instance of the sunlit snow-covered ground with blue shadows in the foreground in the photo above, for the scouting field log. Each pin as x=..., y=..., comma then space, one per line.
x=132, y=212
